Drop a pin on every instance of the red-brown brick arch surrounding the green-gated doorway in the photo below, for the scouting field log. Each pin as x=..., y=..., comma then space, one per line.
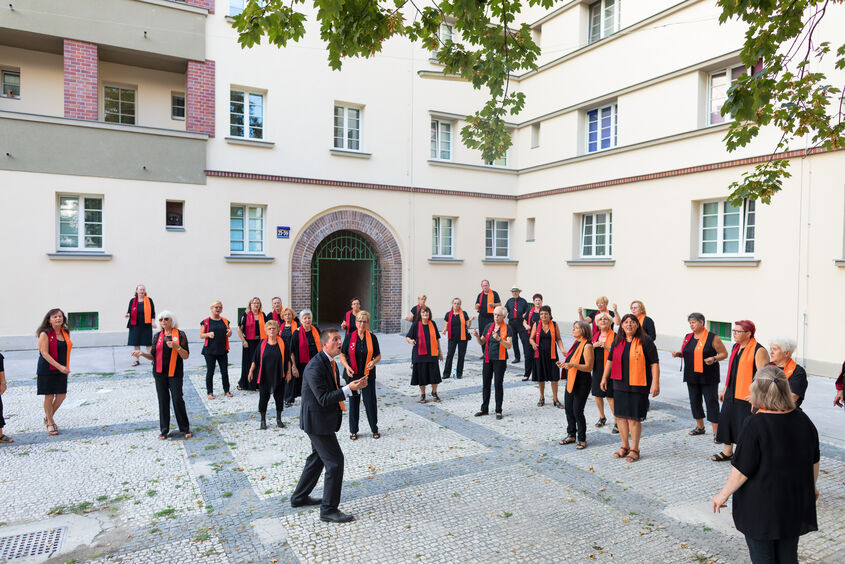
x=383, y=243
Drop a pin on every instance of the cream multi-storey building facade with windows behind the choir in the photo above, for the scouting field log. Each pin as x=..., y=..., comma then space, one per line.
x=662, y=177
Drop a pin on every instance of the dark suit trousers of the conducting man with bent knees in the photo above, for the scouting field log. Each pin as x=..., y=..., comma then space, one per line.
x=325, y=453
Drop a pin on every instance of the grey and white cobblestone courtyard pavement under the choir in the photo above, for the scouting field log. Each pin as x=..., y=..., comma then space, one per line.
x=440, y=486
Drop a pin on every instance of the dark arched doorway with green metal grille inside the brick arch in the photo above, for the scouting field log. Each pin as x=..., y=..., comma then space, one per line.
x=344, y=266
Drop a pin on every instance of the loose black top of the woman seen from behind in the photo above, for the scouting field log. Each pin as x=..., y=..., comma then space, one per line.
x=776, y=452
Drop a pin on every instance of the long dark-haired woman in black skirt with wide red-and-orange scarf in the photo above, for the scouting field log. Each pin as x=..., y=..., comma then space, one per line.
x=634, y=368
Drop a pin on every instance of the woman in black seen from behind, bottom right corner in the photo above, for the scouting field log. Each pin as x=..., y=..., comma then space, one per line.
x=774, y=474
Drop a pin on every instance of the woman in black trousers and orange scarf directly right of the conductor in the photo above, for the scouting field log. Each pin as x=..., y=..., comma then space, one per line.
x=359, y=355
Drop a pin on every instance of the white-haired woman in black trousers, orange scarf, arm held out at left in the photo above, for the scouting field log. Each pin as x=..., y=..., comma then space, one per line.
x=170, y=349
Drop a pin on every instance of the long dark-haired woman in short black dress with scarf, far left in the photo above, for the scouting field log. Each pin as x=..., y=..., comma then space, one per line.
x=54, y=345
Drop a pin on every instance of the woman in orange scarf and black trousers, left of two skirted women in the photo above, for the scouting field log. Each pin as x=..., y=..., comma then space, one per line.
x=578, y=367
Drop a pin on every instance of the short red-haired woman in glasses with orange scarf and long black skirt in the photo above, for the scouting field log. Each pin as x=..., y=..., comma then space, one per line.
x=747, y=356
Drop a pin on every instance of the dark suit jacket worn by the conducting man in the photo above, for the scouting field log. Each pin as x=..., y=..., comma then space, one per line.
x=320, y=413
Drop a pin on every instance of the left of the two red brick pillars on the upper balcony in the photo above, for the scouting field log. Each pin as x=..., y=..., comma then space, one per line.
x=81, y=71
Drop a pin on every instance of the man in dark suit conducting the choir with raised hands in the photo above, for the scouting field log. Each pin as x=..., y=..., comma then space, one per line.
x=320, y=416
